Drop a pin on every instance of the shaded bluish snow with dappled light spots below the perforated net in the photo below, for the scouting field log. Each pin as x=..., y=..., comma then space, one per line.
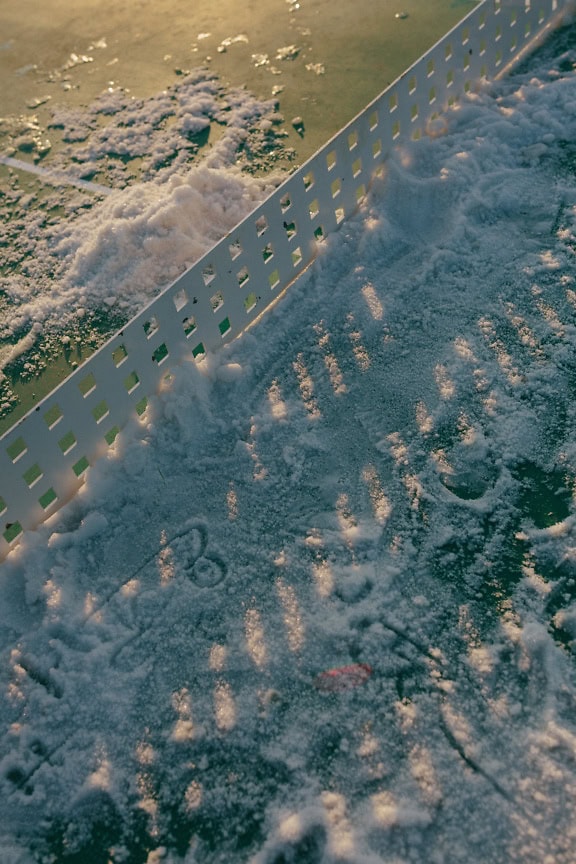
x=381, y=473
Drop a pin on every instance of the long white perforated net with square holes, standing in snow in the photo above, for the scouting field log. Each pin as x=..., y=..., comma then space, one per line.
x=44, y=458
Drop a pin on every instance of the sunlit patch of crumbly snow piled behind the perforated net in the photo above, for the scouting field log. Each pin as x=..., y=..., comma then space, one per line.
x=78, y=264
